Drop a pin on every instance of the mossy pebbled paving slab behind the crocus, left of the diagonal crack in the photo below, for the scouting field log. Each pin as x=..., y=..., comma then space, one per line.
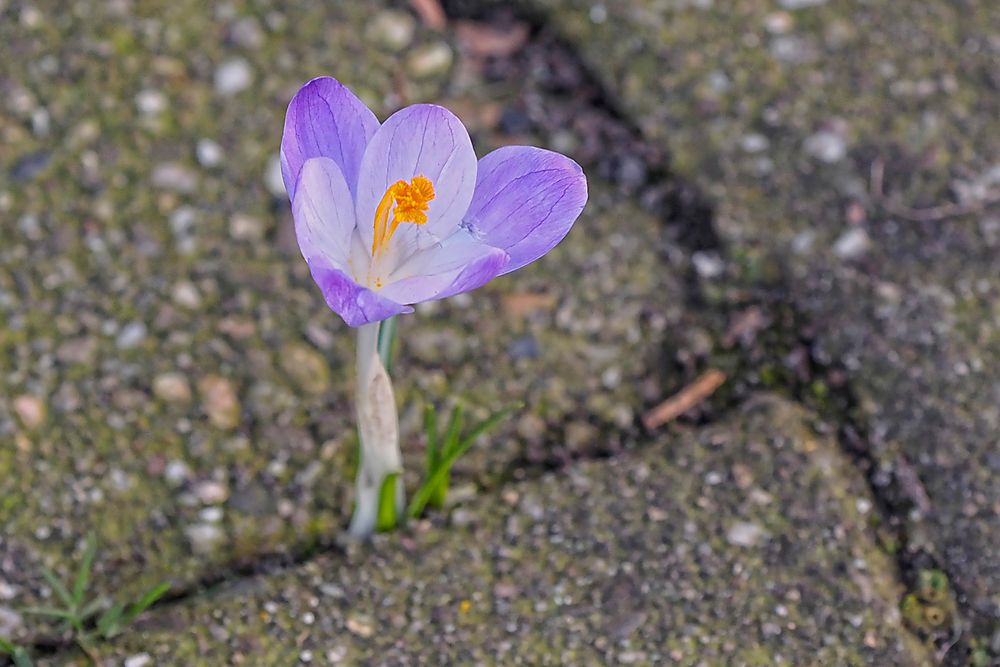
x=198, y=369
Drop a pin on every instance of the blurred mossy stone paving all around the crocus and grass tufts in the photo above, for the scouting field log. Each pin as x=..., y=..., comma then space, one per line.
x=761, y=375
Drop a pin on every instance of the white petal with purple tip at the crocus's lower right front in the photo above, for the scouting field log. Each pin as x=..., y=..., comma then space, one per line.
x=457, y=265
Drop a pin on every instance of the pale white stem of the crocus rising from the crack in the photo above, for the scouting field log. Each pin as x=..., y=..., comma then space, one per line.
x=378, y=430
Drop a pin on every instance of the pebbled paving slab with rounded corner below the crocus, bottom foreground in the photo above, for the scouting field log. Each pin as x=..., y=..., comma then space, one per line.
x=613, y=563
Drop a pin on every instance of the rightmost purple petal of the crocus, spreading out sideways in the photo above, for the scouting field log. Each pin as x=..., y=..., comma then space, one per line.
x=526, y=201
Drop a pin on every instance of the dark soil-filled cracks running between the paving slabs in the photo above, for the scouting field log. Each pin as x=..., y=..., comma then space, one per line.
x=688, y=218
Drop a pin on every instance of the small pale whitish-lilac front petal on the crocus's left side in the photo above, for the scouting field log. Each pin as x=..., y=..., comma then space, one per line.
x=323, y=210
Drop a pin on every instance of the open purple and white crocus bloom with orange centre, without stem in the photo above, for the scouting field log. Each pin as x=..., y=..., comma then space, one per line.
x=399, y=213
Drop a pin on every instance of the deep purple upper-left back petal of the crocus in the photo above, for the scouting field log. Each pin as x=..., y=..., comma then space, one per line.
x=325, y=119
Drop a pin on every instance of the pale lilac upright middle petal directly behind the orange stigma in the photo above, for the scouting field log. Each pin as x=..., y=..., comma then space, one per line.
x=420, y=140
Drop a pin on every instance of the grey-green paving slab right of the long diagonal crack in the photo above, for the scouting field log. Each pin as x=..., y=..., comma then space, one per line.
x=828, y=148
